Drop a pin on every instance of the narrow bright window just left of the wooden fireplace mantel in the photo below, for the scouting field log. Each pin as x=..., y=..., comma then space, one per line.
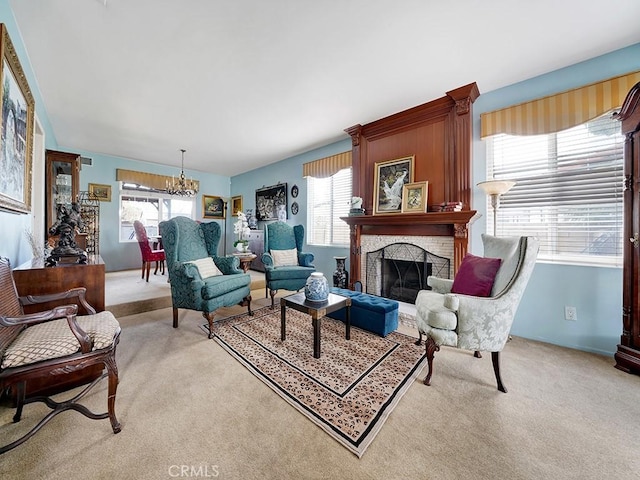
x=328, y=199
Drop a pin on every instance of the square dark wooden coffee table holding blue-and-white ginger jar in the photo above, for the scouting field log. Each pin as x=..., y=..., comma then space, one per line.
x=317, y=310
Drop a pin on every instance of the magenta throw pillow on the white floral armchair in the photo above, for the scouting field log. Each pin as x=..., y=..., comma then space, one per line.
x=475, y=276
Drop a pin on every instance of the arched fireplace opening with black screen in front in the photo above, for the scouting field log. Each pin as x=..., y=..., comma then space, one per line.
x=399, y=271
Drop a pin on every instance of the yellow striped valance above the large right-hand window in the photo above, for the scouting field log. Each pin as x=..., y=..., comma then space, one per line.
x=561, y=111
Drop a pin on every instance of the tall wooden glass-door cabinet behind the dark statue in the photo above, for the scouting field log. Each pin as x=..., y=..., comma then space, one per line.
x=62, y=178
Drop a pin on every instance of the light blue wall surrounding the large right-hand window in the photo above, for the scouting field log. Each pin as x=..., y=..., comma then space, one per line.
x=596, y=292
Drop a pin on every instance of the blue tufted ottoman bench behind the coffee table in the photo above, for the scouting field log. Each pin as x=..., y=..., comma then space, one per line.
x=369, y=312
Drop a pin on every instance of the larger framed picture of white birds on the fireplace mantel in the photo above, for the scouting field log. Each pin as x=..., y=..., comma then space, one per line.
x=389, y=180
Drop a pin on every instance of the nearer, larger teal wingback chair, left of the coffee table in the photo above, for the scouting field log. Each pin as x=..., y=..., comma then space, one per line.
x=186, y=241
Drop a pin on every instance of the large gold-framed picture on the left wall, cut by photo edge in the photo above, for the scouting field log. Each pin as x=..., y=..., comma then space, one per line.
x=17, y=130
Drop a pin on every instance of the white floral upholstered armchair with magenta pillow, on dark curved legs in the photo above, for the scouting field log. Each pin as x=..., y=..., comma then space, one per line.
x=475, y=310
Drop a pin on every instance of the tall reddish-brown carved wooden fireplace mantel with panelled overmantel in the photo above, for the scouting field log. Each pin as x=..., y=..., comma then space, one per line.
x=439, y=134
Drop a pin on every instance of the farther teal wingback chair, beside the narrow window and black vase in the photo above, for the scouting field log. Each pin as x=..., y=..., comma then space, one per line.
x=282, y=237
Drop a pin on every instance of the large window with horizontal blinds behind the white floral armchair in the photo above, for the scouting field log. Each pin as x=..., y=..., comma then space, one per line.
x=568, y=192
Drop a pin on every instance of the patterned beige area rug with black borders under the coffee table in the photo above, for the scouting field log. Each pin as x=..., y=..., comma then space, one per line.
x=348, y=392
